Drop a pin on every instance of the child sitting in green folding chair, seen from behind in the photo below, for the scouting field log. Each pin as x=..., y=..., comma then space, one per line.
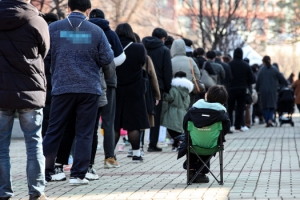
x=205, y=116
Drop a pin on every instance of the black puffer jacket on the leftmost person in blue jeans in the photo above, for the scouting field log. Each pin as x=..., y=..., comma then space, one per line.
x=24, y=43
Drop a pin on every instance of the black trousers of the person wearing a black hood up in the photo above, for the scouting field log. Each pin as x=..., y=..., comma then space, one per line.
x=236, y=97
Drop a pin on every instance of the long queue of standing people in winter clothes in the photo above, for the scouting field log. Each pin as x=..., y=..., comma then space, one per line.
x=78, y=69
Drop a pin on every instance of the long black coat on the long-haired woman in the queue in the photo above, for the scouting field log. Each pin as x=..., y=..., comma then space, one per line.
x=131, y=113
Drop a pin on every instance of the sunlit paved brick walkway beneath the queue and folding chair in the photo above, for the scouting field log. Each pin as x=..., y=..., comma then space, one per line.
x=260, y=164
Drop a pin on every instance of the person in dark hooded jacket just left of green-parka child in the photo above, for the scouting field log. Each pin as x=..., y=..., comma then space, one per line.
x=161, y=58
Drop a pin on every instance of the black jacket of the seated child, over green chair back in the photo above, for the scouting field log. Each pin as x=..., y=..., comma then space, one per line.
x=196, y=116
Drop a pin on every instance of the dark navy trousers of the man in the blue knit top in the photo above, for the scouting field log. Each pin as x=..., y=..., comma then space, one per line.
x=85, y=107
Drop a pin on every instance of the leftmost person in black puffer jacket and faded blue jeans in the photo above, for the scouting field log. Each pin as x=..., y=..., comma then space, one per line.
x=25, y=42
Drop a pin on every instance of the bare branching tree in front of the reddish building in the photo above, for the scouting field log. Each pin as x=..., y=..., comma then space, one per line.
x=223, y=24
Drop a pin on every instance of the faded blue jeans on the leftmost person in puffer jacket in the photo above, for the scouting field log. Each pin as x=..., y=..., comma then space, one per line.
x=31, y=123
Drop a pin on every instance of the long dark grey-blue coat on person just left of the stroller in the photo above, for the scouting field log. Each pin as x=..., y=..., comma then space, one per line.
x=268, y=80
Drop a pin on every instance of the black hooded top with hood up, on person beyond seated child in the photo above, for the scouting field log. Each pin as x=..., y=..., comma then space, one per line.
x=242, y=75
